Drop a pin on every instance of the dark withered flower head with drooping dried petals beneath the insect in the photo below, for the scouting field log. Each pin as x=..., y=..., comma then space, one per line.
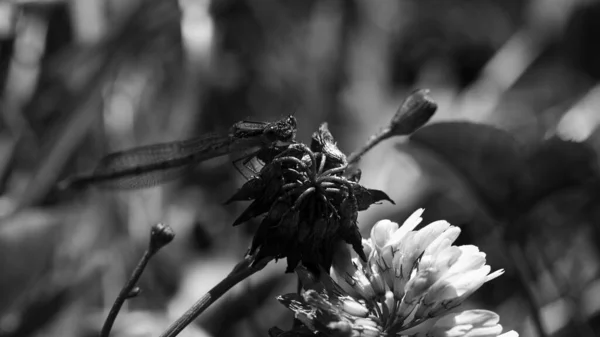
x=309, y=204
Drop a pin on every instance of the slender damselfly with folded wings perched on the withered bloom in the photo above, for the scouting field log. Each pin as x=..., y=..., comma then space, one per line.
x=155, y=164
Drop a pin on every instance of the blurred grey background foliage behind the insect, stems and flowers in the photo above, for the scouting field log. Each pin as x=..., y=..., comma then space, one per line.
x=511, y=156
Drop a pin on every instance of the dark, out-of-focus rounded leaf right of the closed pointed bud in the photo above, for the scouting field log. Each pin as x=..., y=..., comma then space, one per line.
x=490, y=159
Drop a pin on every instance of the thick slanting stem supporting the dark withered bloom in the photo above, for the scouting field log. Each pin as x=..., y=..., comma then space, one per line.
x=240, y=272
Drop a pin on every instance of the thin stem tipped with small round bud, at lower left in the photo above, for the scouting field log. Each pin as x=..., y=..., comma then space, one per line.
x=160, y=236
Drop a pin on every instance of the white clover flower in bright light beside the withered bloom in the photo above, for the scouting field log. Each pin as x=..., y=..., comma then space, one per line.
x=412, y=285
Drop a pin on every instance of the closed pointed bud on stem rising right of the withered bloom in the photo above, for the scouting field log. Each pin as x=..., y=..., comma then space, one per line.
x=415, y=111
